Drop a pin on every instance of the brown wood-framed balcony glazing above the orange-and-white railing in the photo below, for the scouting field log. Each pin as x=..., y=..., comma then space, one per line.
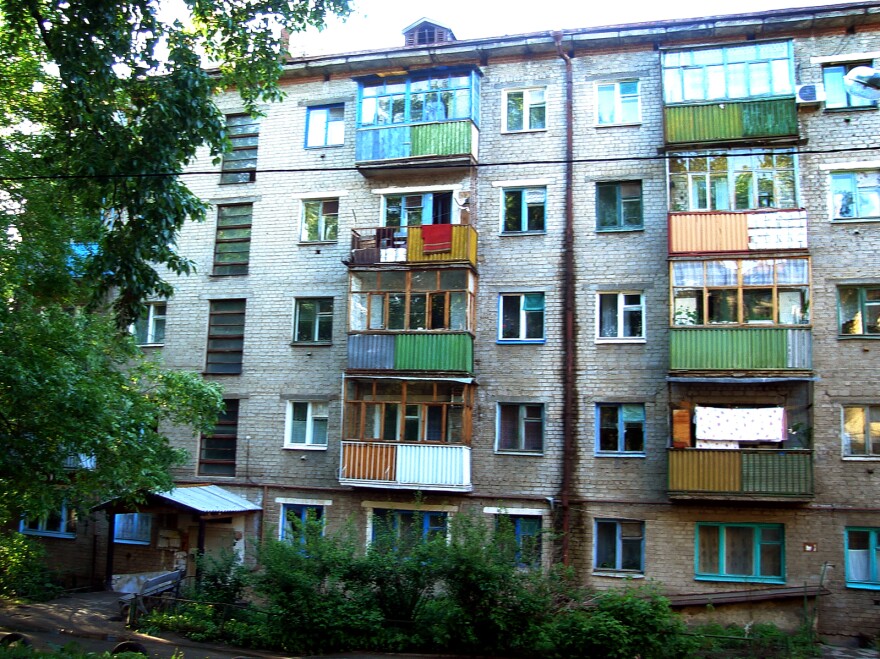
x=419, y=411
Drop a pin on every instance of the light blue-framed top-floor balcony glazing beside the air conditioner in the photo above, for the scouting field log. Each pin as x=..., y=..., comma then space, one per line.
x=728, y=73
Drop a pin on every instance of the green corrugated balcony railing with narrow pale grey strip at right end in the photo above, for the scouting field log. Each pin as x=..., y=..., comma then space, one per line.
x=740, y=348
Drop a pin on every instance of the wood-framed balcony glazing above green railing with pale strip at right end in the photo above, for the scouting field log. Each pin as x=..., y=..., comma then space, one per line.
x=745, y=292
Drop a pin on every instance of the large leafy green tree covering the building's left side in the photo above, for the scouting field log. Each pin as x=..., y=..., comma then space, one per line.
x=102, y=104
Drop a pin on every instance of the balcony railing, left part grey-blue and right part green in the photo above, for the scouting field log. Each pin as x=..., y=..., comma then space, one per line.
x=448, y=351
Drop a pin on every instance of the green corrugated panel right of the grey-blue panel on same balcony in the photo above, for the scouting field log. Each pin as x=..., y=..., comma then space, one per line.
x=434, y=352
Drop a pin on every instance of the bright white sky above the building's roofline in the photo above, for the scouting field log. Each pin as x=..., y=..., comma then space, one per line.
x=377, y=24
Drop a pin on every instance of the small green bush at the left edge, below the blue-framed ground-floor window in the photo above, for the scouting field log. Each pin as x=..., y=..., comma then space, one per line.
x=23, y=571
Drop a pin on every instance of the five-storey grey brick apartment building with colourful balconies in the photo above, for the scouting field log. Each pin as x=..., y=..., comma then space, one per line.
x=620, y=283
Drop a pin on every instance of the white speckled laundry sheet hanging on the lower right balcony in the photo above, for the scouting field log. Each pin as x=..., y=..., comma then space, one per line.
x=744, y=424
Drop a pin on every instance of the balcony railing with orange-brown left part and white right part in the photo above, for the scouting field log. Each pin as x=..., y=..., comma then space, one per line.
x=441, y=467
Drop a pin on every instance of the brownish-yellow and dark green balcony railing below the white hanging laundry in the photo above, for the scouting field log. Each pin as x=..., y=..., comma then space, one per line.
x=751, y=473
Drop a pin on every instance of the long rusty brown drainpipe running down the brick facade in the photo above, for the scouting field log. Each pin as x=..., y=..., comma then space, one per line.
x=569, y=354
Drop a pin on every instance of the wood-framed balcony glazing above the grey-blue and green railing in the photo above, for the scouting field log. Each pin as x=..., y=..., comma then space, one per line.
x=419, y=300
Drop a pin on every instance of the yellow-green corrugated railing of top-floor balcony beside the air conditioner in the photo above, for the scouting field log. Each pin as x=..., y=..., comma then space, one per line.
x=730, y=121
